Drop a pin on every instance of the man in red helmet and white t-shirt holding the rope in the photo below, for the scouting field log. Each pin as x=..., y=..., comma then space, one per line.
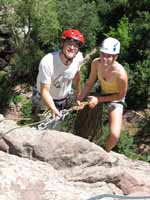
x=58, y=70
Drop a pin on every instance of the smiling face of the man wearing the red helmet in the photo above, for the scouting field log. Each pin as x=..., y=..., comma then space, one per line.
x=70, y=48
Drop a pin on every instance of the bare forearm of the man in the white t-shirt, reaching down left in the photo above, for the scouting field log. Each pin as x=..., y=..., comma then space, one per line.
x=44, y=91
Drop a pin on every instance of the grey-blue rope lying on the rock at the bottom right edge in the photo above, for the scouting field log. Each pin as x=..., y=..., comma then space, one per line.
x=118, y=196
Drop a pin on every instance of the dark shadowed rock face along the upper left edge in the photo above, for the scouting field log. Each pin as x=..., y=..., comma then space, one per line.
x=6, y=49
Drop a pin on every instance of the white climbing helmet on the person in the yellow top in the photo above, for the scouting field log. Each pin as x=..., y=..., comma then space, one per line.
x=110, y=46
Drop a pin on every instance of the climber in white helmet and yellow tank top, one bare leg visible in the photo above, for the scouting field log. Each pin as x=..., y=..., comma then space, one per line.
x=113, y=80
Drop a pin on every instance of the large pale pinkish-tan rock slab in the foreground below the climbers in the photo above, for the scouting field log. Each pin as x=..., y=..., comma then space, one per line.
x=52, y=165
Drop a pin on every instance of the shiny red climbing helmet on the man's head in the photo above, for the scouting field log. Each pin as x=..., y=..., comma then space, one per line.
x=73, y=34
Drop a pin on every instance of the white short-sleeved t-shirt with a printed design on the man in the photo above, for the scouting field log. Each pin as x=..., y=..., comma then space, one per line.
x=52, y=71
